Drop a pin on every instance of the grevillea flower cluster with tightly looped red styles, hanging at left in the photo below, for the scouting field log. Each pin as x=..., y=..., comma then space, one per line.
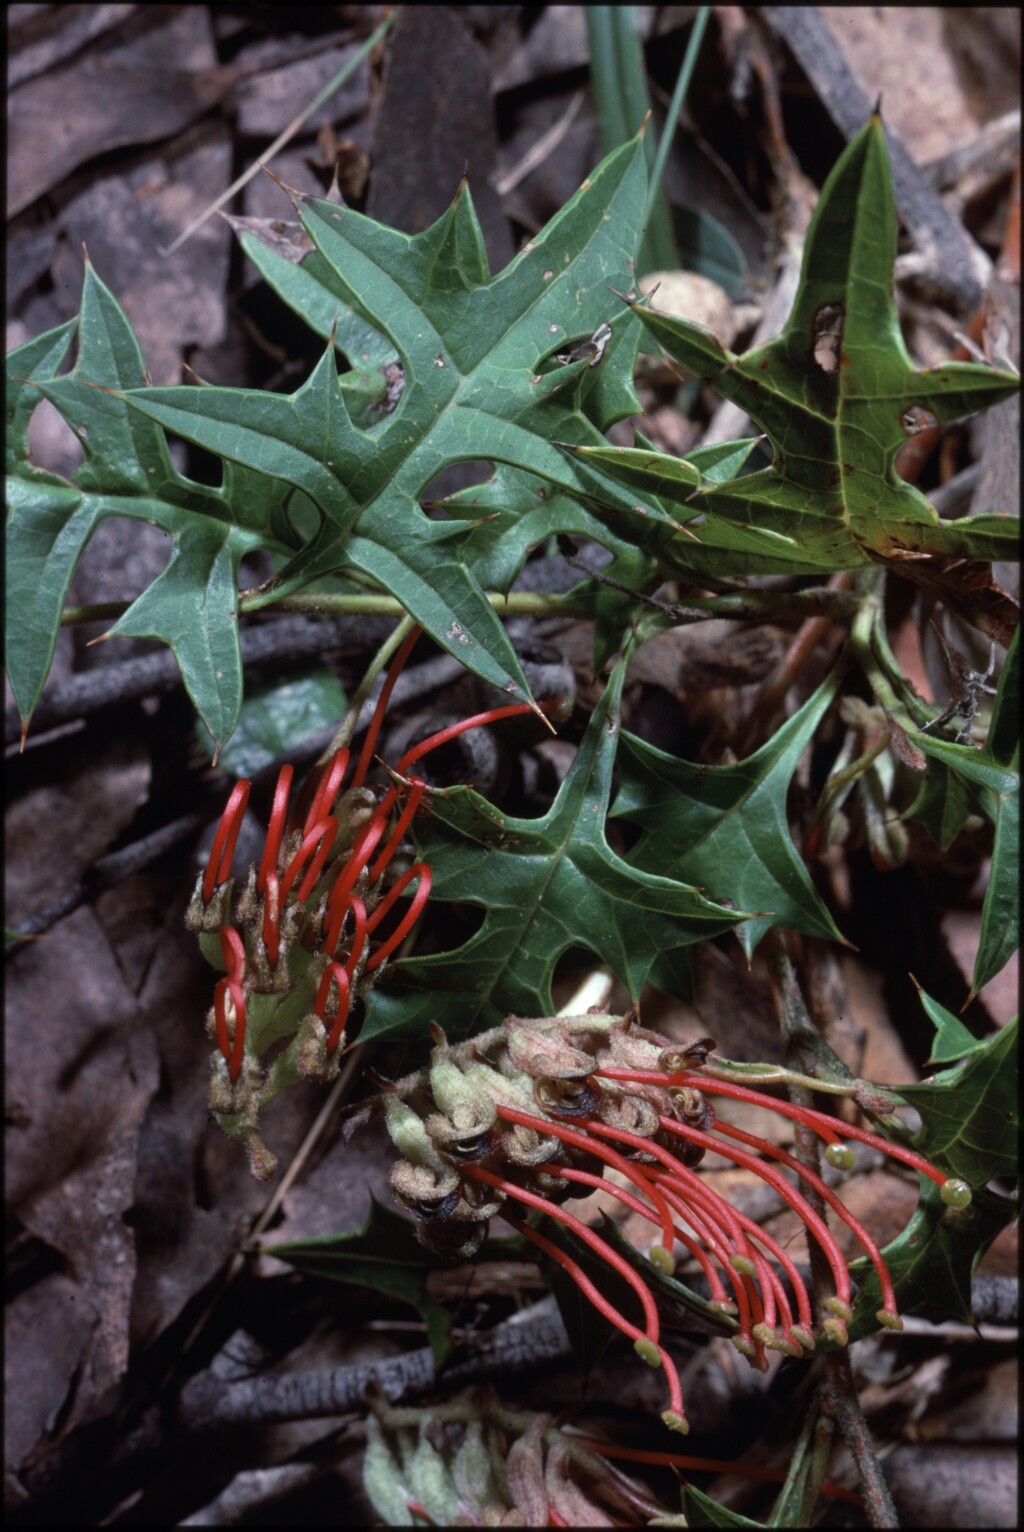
x=315, y=921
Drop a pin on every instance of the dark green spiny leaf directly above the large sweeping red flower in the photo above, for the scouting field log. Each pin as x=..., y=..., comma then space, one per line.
x=546, y=886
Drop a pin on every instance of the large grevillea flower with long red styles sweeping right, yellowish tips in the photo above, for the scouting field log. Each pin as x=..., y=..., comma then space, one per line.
x=534, y=1113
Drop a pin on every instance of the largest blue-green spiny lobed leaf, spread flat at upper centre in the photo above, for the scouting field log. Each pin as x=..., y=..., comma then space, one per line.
x=478, y=382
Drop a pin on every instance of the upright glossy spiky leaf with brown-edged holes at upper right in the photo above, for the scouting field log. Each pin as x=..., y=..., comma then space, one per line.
x=838, y=396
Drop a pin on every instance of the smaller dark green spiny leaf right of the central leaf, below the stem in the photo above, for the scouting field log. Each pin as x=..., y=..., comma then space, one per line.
x=726, y=830
